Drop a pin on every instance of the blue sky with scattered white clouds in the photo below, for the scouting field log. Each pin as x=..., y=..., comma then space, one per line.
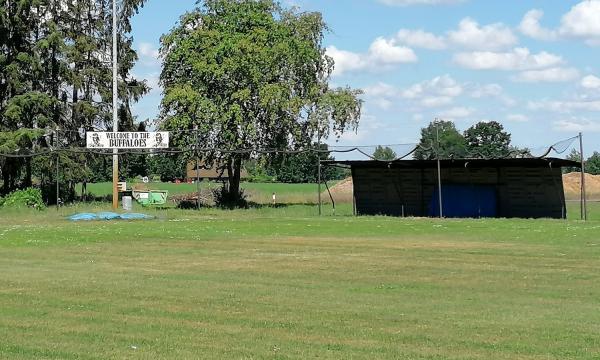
x=531, y=65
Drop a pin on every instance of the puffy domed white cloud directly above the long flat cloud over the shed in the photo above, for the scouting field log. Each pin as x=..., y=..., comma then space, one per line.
x=489, y=37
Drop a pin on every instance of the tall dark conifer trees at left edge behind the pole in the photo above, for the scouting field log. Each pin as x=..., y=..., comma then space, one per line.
x=55, y=73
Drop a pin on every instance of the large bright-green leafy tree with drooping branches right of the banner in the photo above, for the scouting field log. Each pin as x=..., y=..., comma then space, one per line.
x=250, y=74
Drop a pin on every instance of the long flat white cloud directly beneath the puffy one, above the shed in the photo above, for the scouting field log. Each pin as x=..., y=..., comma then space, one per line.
x=517, y=59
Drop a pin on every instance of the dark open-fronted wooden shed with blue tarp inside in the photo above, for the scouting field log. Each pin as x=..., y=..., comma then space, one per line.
x=505, y=188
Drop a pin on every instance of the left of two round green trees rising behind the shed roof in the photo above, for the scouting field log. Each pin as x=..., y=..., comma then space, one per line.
x=451, y=143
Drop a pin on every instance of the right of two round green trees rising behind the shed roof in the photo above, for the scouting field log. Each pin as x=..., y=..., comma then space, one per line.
x=487, y=140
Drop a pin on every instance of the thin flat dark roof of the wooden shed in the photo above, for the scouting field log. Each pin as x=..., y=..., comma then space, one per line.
x=455, y=163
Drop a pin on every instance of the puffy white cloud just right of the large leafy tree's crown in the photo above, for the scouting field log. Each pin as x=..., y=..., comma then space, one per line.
x=383, y=54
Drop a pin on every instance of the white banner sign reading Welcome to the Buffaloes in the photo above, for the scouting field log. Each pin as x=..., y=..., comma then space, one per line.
x=127, y=140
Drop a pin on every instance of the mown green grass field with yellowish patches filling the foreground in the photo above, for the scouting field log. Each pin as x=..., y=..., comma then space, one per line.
x=282, y=283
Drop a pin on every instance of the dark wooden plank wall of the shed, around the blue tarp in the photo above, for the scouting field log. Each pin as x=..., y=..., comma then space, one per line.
x=521, y=192
